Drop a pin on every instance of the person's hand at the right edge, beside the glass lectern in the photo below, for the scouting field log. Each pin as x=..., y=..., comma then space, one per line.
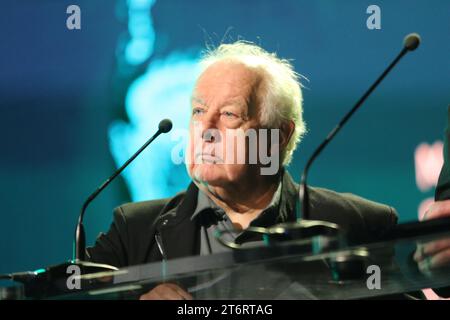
x=434, y=254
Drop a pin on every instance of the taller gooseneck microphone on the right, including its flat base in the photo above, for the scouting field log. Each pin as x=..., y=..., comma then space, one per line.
x=304, y=227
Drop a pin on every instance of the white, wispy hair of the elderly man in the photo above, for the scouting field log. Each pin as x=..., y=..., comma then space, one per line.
x=281, y=95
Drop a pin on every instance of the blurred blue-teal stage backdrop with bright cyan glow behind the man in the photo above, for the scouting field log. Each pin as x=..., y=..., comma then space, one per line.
x=75, y=104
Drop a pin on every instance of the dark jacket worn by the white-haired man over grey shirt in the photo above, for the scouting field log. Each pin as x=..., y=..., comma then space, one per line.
x=149, y=231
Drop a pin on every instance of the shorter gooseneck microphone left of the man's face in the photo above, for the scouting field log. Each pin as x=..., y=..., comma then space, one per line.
x=80, y=237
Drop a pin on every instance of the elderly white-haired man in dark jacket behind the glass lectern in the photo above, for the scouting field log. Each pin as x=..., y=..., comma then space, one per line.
x=242, y=89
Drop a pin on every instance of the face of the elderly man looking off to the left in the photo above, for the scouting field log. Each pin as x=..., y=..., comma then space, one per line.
x=224, y=99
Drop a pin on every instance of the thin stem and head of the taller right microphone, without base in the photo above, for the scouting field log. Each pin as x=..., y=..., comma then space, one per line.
x=411, y=42
